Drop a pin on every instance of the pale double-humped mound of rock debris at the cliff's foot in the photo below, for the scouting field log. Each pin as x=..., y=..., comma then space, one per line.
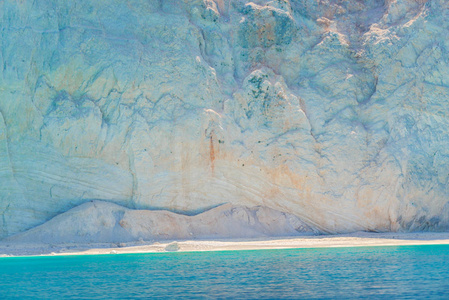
x=105, y=222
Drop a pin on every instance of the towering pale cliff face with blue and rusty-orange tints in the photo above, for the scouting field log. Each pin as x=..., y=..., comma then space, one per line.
x=334, y=111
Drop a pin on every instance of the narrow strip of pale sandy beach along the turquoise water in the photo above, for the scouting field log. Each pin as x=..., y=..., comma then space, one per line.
x=358, y=239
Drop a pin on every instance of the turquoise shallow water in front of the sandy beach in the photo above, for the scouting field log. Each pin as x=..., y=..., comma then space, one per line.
x=407, y=272
